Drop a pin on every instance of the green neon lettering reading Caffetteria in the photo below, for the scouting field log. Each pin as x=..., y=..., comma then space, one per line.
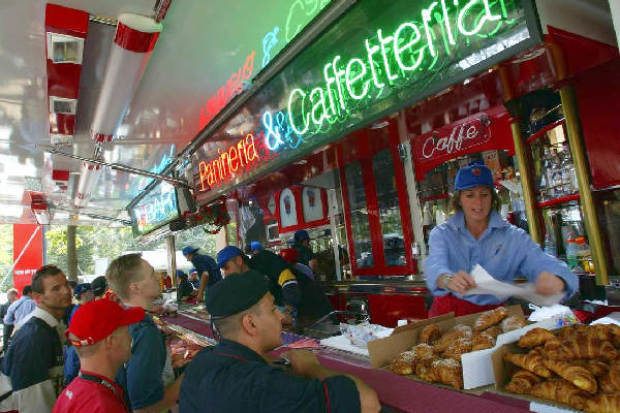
x=396, y=54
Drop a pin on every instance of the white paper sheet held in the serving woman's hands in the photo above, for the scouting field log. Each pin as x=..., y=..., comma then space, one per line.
x=486, y=284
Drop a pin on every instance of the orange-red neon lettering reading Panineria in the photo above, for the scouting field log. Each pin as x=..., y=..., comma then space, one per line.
x=225, y=166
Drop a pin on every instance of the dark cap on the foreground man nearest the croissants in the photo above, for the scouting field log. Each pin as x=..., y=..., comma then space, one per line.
x=236, y=293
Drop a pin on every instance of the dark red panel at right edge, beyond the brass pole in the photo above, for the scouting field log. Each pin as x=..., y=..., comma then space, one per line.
x=598, y=100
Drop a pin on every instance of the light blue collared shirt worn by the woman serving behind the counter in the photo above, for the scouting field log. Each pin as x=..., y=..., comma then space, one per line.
x=503, y=250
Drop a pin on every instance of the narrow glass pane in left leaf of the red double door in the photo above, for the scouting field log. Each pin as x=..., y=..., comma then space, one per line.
x=360, y=226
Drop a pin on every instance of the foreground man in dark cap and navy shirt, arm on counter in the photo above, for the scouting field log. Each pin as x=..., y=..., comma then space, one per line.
x=235, y=376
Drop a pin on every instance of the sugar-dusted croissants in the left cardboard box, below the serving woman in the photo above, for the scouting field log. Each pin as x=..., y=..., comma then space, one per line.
x=437, y=357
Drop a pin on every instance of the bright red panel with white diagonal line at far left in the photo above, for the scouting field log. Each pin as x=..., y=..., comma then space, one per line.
x=30, y=258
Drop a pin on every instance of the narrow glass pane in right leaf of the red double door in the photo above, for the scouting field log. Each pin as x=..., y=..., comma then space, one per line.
x=389, y=209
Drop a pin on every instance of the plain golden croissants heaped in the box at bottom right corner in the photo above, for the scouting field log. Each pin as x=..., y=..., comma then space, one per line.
x=576, y=365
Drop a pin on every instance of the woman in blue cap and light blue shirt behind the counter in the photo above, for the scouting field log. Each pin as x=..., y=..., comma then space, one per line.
x=476, y=234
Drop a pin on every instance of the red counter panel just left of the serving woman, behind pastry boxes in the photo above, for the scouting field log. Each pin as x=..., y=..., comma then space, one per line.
x=388, y=309
